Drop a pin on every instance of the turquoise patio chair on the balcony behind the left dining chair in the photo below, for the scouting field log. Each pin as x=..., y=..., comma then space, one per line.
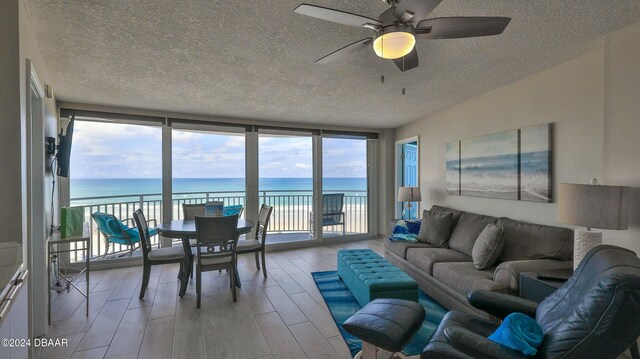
x=115, y=231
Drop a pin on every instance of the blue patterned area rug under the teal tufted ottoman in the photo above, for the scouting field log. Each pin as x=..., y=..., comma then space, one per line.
x=342, y=304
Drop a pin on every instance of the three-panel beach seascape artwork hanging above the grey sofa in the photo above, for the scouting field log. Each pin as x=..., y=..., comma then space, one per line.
x=513, y=164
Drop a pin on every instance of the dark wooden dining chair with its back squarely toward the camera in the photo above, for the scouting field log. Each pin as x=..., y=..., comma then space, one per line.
x=217, y=238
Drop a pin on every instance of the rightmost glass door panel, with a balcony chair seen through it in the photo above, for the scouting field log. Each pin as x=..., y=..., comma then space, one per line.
x=345, y=204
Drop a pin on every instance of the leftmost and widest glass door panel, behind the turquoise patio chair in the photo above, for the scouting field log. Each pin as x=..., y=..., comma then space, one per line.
x=115, y=168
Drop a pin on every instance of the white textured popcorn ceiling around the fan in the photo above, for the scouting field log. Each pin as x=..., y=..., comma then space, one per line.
x=254, y=59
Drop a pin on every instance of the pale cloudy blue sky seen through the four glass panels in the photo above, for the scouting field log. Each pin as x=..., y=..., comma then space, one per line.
x=103, y=150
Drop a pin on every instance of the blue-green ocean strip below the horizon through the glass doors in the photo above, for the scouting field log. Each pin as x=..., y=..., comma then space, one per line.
x=97, y=187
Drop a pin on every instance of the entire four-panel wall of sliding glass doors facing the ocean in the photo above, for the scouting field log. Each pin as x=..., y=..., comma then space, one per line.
x=318, y=184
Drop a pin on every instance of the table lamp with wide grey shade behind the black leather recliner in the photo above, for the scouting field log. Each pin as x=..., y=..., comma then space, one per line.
x=592, y=206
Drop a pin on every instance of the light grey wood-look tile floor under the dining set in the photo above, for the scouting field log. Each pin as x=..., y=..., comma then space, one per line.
x=283, y=316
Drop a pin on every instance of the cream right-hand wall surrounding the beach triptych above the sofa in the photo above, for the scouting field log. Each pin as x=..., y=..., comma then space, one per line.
x=593, y=101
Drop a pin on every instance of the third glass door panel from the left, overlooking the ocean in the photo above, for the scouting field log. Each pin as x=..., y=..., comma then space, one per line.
x=286, y=183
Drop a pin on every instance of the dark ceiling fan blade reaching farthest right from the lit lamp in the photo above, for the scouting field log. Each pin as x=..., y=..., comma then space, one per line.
x=459, y=27
